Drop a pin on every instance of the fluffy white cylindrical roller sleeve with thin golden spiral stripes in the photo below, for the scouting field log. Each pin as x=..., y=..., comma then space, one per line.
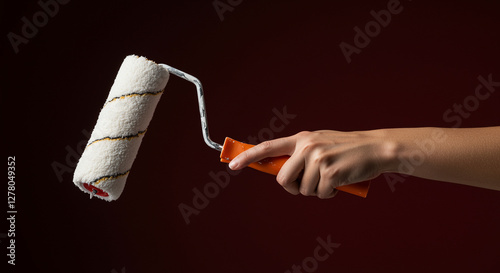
x=122, y=123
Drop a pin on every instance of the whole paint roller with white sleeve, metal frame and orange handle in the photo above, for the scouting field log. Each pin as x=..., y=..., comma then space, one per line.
x=123, y=121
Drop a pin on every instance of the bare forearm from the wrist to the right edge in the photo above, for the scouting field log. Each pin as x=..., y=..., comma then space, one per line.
x=469, y=156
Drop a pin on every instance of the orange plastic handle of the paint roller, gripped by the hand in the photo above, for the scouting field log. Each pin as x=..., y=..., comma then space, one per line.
x=272, y=165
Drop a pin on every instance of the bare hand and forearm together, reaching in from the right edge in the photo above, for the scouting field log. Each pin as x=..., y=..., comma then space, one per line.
x=323, y=160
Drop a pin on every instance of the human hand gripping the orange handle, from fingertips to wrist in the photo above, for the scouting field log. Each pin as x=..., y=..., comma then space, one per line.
x=326, y=159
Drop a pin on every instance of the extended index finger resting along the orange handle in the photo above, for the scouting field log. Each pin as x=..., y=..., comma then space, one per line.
x=270, y=148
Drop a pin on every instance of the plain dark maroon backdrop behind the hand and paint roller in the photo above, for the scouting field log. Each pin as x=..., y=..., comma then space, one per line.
x=263, y=55
